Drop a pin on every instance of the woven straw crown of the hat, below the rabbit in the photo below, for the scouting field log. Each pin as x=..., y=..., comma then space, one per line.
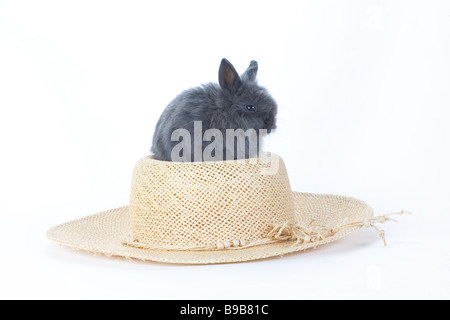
x=207, y=204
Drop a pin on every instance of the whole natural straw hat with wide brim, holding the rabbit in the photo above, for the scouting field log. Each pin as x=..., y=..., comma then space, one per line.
x=215, y=212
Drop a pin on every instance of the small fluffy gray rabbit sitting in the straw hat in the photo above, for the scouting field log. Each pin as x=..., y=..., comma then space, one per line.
x=216, y=122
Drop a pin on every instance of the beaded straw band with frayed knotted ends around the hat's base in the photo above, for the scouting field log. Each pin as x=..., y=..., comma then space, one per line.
x=283, y=232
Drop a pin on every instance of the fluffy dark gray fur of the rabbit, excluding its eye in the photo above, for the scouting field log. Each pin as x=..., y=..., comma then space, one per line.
x=218, y=106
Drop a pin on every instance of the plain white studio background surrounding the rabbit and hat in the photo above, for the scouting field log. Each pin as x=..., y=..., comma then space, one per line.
x=363, y=91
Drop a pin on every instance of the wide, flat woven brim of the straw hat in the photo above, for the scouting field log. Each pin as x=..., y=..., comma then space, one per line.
x=103, y=232
